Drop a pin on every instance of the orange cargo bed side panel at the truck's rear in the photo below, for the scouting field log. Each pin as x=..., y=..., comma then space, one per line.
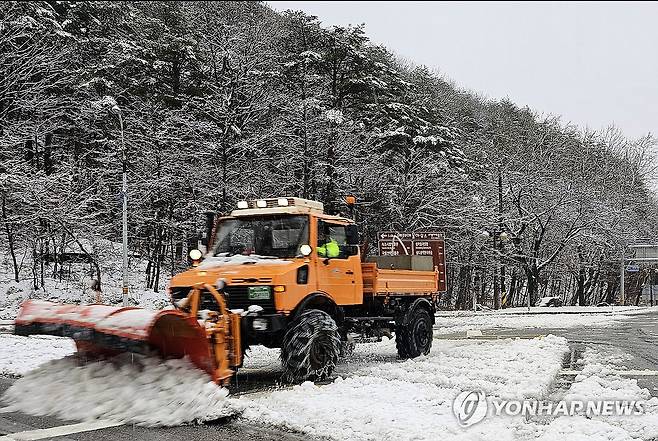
x=377, y=281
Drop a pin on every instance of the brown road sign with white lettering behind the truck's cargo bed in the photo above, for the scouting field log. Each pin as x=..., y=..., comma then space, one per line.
x=417, y=243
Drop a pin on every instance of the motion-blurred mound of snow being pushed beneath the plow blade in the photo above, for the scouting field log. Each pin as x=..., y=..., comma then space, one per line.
x=130, y=390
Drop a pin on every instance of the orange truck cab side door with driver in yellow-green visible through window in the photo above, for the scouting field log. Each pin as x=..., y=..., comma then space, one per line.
x=338, y=265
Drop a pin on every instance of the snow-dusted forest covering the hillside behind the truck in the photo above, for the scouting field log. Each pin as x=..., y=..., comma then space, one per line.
x=224, y=101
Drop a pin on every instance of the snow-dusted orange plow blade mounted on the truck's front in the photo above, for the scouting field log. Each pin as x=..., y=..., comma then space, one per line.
x=107, y=330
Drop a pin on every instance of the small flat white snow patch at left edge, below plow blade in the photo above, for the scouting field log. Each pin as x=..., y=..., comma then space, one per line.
x=22, y=354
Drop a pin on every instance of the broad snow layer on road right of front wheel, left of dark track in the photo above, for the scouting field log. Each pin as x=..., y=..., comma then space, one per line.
x=388, y=399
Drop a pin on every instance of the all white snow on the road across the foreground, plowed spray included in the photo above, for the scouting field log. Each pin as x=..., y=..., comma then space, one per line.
x=374, y=397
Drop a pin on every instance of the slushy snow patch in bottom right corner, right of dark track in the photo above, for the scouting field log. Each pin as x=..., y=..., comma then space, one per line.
x=599, y=380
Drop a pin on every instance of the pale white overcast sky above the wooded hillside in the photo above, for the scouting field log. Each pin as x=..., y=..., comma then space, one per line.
x=593, y=63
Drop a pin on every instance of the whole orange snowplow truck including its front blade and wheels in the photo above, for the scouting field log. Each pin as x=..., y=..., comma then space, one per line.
x=278, y=272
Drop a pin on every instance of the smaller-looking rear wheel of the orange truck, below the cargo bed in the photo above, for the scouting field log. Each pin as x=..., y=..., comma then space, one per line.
x=415, y=337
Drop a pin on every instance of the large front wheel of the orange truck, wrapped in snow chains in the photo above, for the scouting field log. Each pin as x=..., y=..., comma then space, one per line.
x=311, y=347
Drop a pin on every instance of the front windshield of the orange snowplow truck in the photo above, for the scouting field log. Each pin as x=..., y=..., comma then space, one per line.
x=265, y=236
